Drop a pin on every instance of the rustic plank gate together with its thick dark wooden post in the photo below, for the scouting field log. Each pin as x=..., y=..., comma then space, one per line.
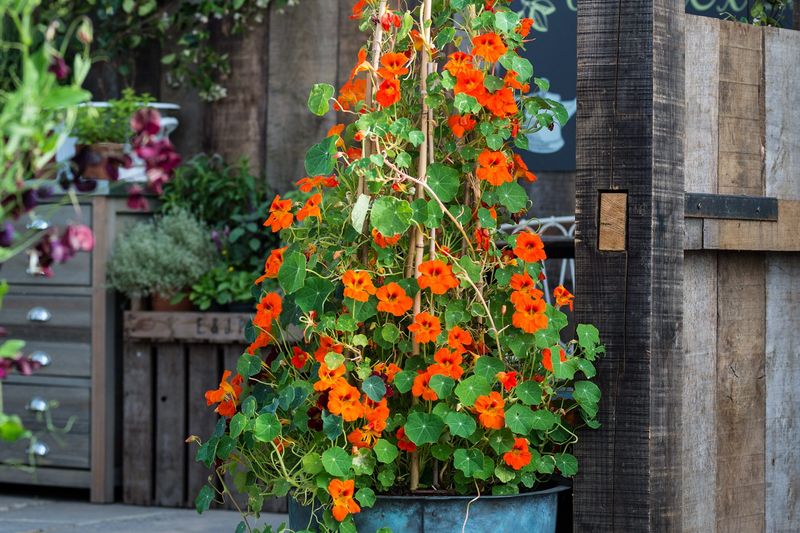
x=697, y=296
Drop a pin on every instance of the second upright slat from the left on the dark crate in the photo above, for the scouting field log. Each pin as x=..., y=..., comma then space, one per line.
x=171, y=427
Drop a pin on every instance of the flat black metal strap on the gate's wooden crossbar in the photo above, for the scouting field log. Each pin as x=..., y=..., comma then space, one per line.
x=729, y=206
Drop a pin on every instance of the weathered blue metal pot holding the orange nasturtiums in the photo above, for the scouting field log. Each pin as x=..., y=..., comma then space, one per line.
x=532, y=512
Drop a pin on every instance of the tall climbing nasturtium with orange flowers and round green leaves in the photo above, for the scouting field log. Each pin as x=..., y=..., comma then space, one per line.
x=410, y=346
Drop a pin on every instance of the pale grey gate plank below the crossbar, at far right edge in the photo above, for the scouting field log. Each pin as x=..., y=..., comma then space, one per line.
x=783, y=396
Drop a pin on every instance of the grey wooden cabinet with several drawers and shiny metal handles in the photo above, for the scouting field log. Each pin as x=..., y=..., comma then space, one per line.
x=68, y=323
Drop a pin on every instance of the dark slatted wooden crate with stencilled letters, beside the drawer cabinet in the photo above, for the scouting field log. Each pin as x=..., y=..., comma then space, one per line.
x=170, y=360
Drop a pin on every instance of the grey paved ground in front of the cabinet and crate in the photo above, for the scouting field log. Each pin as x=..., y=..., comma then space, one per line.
x=33, y=515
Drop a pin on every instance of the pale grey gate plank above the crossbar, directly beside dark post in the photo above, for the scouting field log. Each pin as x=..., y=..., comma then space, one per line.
x=701, y=140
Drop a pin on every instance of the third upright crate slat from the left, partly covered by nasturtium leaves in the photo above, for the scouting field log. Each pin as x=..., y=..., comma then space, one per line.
x=204, y=374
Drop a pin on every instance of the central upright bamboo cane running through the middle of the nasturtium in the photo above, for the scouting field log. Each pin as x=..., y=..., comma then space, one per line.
x=422, y=171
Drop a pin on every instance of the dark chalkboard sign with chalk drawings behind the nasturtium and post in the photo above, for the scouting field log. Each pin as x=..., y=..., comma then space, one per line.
x=553, y=53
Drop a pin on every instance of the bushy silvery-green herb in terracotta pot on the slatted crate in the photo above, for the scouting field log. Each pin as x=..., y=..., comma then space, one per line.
x=161, y=259
